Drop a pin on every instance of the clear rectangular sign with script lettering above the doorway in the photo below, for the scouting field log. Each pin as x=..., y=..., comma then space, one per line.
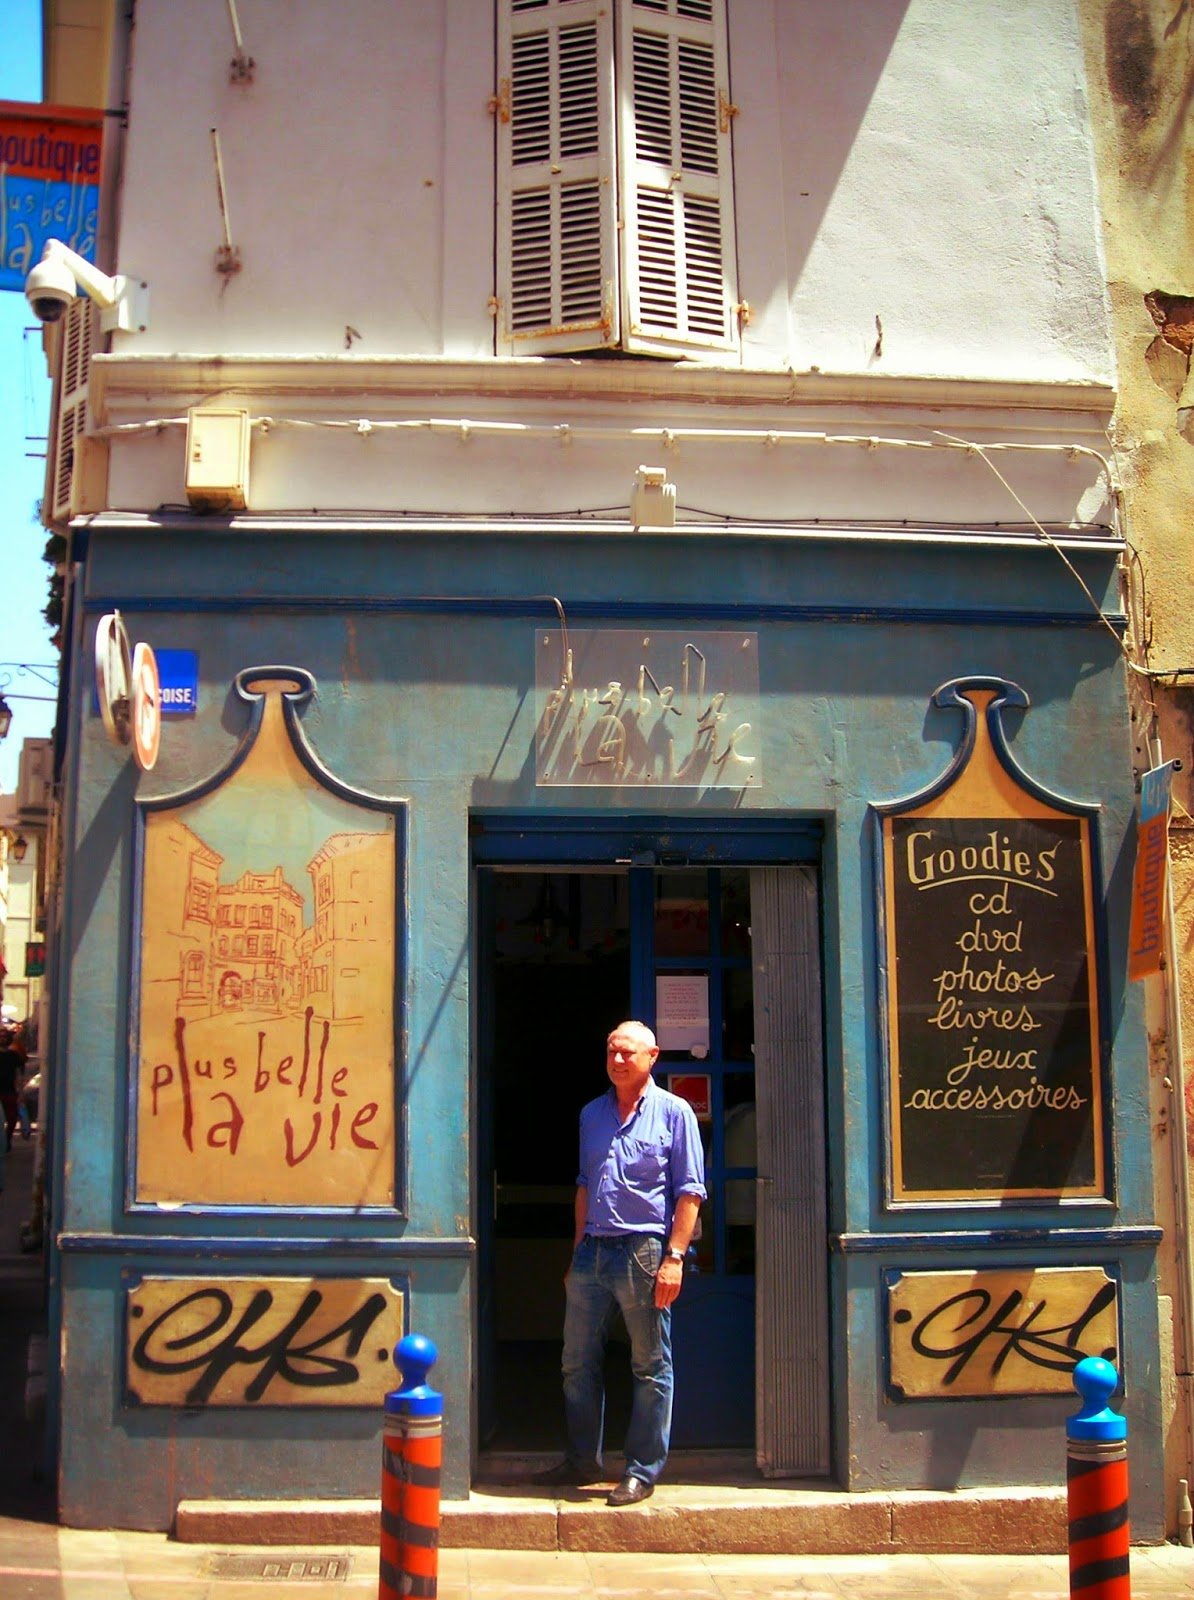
x=654, y=706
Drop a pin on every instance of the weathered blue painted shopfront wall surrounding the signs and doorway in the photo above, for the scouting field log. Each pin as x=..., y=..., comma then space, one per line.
x=422, y=647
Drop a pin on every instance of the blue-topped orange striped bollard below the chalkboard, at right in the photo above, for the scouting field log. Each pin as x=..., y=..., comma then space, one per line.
x=1097, y=1487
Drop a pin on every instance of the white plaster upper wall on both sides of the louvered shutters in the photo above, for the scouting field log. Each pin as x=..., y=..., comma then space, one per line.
x=918, y=166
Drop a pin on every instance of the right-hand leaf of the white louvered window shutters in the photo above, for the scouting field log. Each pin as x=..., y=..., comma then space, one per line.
x=679, y=268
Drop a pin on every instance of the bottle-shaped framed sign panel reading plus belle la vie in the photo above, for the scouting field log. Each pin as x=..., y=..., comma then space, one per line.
x=307, y=1094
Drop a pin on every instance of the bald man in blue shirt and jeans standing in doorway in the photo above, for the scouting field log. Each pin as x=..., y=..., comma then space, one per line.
x=638, y=1196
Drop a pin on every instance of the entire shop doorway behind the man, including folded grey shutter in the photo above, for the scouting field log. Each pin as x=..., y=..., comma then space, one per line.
x=710, y=935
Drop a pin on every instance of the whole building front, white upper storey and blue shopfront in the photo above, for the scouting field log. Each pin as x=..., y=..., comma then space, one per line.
x=513, y=684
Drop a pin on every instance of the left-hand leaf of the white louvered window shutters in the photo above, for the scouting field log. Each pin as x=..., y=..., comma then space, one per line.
x=556, y=178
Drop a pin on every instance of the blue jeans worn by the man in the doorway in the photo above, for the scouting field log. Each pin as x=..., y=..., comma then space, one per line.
x=609, y=1274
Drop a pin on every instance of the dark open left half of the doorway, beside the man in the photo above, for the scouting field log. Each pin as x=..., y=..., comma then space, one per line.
x=556, y=964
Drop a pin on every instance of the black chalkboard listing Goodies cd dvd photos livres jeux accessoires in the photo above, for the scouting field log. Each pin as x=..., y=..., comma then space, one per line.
x=993, y=1030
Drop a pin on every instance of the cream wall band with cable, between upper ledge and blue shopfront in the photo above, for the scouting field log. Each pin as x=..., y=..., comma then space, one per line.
x=315, y=458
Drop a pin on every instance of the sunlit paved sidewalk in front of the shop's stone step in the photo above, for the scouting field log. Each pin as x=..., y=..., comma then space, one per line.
x=41, y=1562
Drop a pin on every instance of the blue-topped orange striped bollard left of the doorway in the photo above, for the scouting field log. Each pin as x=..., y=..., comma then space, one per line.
x=411, y=1476
